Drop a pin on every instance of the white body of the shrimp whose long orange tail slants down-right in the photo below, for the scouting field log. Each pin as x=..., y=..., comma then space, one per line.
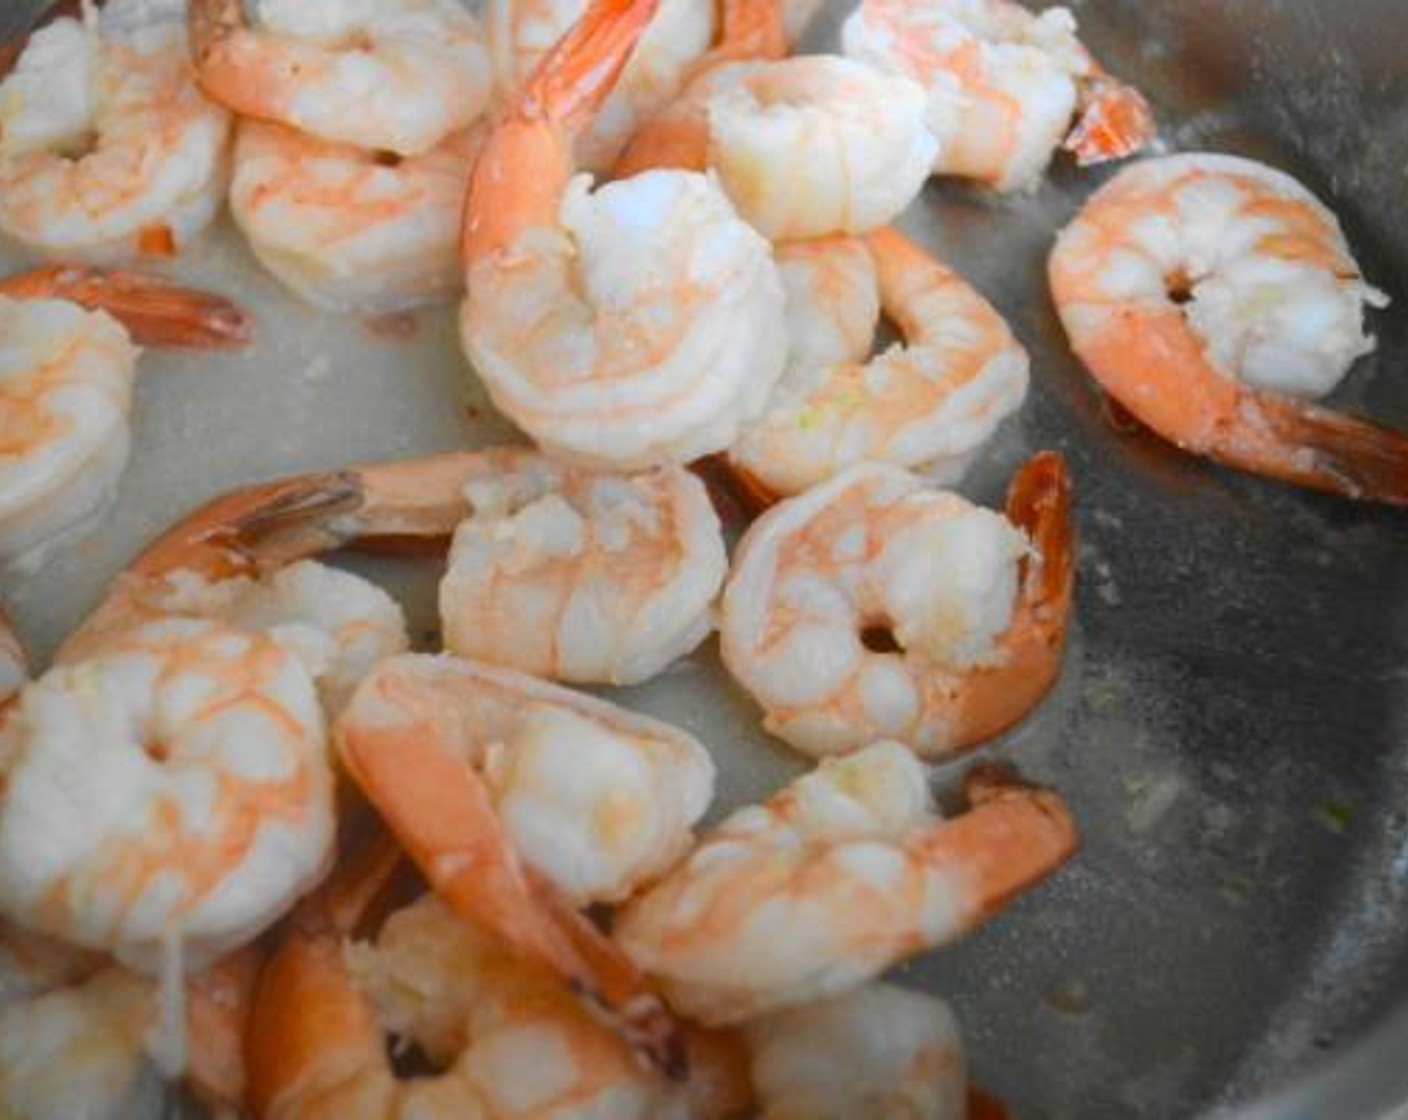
x=595, y=798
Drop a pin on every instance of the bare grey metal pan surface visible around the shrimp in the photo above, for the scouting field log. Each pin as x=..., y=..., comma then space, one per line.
x=1233, y=723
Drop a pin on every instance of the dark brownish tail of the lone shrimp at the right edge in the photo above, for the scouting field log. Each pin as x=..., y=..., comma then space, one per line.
x=1331, y=452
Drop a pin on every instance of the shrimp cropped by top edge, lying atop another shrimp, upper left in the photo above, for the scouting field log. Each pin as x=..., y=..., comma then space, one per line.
x=392, y=75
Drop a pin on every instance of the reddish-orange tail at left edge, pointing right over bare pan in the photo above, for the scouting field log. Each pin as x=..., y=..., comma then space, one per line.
x=156, y=312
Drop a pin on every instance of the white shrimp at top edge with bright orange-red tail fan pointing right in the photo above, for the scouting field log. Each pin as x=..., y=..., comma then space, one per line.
x=1003, y=85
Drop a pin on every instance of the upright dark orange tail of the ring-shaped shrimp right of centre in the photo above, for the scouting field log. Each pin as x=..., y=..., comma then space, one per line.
x=1040, y=504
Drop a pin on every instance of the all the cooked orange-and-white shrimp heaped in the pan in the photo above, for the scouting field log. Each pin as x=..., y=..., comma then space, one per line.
x=260, y=850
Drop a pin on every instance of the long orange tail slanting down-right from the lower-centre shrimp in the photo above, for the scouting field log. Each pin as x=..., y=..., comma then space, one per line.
x=441, y=812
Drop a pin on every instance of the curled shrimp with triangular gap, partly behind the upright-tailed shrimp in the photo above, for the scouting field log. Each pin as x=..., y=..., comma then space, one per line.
x=929, y=404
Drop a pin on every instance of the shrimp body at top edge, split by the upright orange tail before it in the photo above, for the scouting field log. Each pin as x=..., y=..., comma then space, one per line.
x=522, y=32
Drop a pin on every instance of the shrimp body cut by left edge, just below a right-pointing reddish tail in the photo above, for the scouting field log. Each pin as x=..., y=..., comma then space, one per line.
x=67, y=382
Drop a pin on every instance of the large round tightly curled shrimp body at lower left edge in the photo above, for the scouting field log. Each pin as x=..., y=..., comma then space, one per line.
x=168, y=797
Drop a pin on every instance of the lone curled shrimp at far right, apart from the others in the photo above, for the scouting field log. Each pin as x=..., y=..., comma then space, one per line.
x=1209, y=295
